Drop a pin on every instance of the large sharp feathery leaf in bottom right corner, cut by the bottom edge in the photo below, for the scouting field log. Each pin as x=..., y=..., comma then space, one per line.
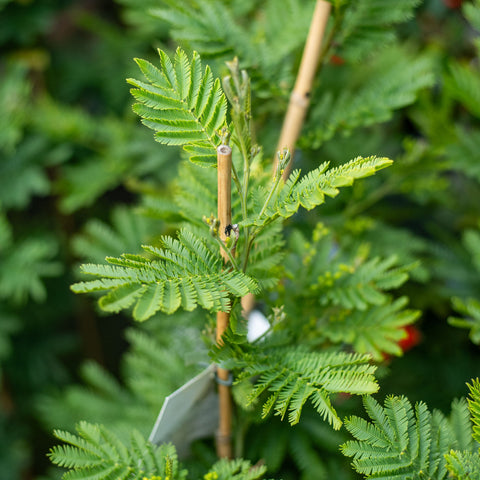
x=404, y=442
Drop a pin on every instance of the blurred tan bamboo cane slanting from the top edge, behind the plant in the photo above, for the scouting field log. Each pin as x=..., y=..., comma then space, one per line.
x=300, y=96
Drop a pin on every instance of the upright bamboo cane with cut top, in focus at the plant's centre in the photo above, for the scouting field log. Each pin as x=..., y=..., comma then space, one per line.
x=224, y=433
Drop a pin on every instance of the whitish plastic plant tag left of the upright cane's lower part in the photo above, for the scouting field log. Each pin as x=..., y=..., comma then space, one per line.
x=189, y=413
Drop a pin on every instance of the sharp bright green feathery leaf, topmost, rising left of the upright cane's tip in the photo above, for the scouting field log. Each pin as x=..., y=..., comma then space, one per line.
x=182, y=104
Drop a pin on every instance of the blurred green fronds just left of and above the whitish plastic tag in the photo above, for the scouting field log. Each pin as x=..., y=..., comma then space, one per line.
x=149, y=373
